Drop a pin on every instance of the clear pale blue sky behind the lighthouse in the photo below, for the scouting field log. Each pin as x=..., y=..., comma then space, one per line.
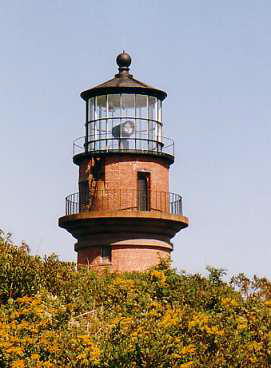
x=214, y=60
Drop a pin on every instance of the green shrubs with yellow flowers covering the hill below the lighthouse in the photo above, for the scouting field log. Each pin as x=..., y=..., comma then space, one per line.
x=53, y=315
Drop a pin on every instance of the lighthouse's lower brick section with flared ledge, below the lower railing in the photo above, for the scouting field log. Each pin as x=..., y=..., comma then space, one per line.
x=121, y=240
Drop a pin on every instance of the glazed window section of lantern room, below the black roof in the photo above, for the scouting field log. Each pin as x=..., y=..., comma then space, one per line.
x=124, y=121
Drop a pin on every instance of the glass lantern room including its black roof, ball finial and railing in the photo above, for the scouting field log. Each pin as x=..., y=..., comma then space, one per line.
x=124, y=114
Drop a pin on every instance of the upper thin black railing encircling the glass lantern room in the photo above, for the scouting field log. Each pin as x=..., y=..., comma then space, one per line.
x=145, y=145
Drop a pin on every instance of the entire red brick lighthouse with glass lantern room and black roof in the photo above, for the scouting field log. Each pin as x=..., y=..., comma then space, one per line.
x=124, y=215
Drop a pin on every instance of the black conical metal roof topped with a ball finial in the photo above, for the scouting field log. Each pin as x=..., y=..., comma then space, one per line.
x=123, y=82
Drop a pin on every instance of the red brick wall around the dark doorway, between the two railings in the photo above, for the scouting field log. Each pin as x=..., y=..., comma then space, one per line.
x=119, y=180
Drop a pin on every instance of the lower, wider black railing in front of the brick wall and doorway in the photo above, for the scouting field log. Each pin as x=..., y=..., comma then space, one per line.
x=124, y=200
